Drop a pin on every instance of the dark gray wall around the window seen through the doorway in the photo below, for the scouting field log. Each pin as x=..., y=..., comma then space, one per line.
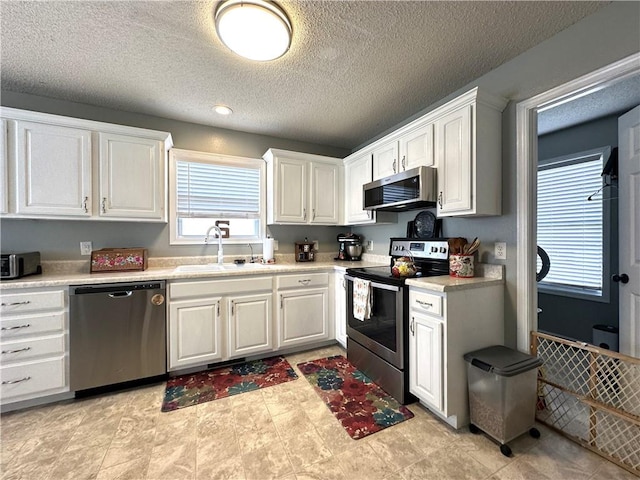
x=572, y=317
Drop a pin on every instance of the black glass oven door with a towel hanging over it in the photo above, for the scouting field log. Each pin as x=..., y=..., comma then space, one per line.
x=383, y=332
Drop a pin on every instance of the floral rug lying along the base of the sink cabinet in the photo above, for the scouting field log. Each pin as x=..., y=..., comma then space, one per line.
x=188, y=390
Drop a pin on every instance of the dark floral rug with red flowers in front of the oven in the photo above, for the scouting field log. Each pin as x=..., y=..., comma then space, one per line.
x=360, y=405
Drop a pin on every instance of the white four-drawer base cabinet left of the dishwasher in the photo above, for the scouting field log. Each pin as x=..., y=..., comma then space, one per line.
x=33, y=341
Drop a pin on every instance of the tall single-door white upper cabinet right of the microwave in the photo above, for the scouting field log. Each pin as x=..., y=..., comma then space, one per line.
x=468, y=146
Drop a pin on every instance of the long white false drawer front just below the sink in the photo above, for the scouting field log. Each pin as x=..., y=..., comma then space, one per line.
x=206, y=288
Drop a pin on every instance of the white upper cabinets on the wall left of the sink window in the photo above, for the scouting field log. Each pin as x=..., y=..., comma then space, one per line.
x=61, y=167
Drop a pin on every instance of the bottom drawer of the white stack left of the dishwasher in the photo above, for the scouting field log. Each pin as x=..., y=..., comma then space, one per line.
x=32, y=378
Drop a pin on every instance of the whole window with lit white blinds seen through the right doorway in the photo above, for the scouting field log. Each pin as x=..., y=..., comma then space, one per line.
x=562, y=196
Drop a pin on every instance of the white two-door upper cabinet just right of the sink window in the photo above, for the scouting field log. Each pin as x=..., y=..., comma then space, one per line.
x=302, y=188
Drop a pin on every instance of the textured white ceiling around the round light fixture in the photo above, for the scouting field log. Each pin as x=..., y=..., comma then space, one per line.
x=354, y=70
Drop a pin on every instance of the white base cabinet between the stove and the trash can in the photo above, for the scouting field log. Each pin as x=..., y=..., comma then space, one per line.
x=443, y=327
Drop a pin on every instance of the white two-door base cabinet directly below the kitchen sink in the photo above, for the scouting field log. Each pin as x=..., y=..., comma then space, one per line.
x=216, y=320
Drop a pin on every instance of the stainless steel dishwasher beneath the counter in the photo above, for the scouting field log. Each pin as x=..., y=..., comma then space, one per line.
x=117, y=333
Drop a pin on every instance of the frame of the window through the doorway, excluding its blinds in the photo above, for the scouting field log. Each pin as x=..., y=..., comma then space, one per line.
x=605, y=197
